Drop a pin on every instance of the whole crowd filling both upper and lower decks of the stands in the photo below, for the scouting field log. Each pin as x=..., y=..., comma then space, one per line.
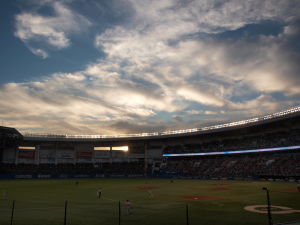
x=285, y=164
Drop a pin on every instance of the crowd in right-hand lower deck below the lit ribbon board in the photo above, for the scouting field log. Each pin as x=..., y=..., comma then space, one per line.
x=250, y=165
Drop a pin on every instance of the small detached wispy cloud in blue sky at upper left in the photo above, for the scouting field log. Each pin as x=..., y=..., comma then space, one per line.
x=34, y=29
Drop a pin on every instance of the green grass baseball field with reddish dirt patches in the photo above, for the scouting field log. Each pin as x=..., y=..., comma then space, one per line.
x=41, y=202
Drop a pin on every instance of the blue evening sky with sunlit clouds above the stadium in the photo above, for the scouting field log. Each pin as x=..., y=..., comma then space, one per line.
x=128, y=66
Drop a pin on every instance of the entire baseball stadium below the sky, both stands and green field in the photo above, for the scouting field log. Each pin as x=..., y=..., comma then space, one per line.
x=225, y=170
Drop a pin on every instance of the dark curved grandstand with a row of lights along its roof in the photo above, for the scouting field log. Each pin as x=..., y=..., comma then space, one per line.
x=262, y=147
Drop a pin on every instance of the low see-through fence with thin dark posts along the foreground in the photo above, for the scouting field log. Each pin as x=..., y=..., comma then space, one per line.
x=106, y=211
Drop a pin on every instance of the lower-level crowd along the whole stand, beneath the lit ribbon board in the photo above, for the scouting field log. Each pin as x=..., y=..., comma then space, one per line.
x=283, y=165
